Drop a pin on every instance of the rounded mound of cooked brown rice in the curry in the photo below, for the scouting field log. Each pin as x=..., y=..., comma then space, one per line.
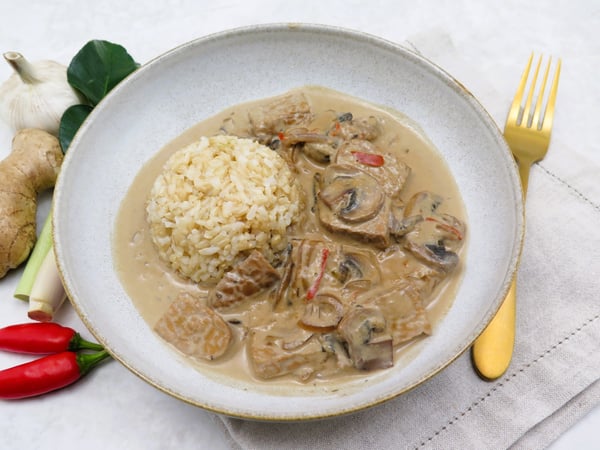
x=218, y=199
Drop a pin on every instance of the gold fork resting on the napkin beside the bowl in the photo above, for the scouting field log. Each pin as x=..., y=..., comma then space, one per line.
x=527, y=132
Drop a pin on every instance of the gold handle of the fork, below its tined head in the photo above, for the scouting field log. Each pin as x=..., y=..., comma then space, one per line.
x=492, y=351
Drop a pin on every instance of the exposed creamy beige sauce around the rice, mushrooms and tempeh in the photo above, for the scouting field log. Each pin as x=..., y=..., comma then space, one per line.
x=152, y=286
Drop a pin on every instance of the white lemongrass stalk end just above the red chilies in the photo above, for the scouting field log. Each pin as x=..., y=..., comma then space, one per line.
x=47, y=292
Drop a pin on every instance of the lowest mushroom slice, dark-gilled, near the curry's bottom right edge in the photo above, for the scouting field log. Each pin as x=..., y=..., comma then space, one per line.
x=368, y=346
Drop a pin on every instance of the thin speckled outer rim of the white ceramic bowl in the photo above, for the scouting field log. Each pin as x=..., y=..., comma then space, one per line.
x=61, y=203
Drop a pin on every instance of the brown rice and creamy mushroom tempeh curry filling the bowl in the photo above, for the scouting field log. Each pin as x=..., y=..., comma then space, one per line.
x=309, y=236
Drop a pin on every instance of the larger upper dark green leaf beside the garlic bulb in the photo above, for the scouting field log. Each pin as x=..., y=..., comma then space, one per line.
x=98, y=67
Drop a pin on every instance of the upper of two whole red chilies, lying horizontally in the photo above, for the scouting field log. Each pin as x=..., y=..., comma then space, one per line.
x=41, y=338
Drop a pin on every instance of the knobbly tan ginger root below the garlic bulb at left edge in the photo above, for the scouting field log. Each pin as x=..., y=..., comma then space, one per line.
x=32, y=166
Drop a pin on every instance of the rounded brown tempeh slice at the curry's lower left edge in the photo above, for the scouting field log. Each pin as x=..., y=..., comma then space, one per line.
x=194, y=329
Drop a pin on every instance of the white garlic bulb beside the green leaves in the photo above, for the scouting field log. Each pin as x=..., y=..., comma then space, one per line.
x=36, y=95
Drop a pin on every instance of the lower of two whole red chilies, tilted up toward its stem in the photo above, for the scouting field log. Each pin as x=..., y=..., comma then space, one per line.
x=47, y=374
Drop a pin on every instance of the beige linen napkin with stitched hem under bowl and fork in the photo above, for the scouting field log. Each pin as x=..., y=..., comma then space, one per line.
x=553, y=379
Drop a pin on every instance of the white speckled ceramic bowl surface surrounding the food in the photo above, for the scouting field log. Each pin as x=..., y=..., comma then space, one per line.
x=178, y=89
